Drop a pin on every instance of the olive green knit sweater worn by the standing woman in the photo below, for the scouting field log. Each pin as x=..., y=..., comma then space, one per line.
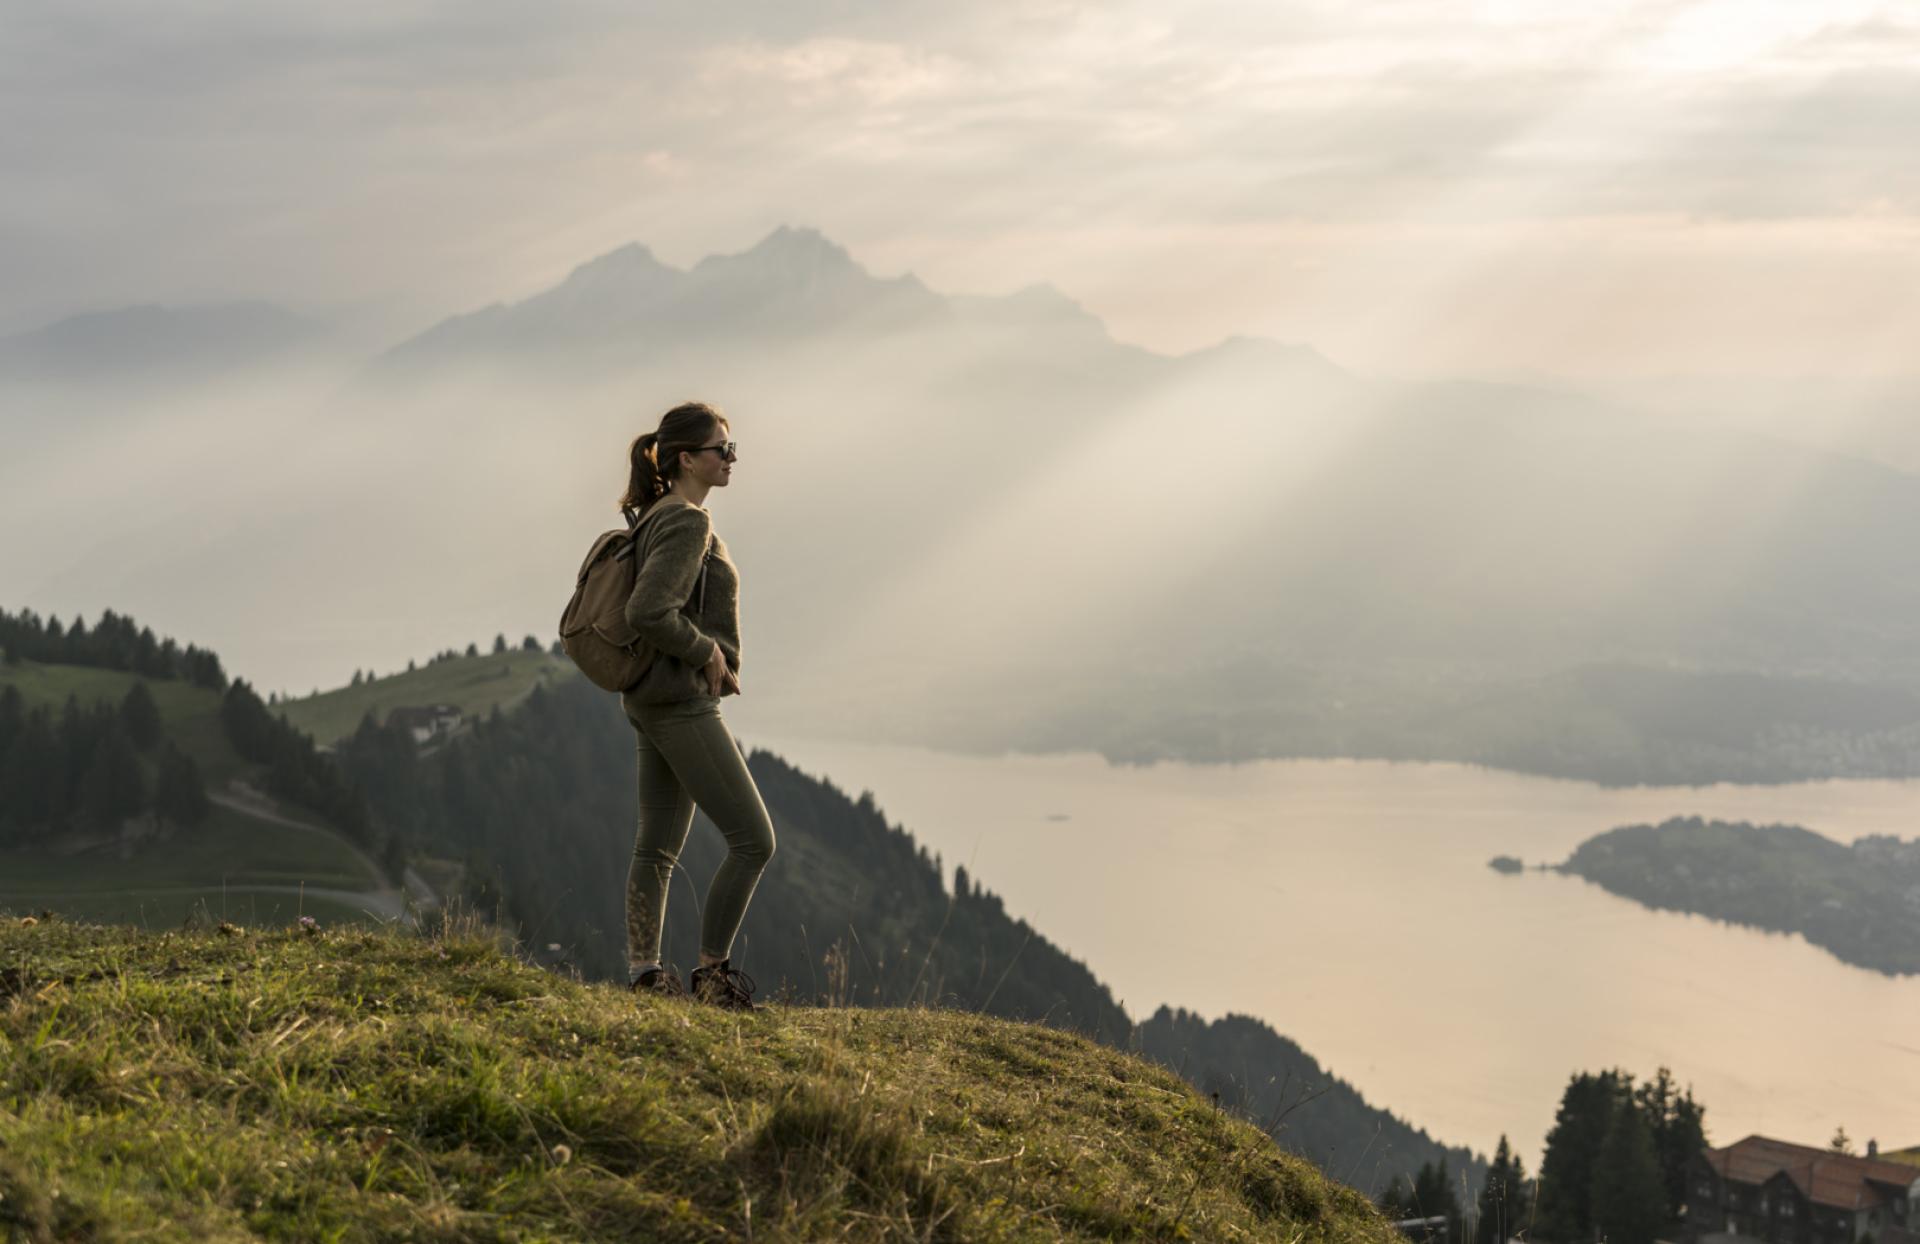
x=671, y=608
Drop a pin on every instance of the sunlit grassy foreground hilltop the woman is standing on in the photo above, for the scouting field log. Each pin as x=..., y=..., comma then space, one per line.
x=377, y=1086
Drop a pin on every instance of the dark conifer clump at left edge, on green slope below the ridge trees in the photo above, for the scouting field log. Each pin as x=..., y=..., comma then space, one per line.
x=91, y=769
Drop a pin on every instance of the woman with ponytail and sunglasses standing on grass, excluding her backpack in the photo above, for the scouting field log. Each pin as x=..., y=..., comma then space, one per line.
x=686, y=606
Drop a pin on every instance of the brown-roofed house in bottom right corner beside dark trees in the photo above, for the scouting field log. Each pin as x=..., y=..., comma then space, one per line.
x=1764, y=1189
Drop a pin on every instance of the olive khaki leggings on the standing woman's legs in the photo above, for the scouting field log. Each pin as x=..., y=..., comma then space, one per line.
x=688, y=757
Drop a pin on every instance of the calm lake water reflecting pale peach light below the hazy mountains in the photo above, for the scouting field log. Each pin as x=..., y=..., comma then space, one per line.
x=1349, y=905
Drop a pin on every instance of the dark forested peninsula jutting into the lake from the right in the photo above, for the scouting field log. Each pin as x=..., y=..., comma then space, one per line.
x=1861, y=903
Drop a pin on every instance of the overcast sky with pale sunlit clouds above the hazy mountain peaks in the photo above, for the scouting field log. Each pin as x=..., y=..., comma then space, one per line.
x=1412, y=187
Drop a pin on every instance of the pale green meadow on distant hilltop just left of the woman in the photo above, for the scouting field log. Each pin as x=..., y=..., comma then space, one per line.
x=475, y=684
